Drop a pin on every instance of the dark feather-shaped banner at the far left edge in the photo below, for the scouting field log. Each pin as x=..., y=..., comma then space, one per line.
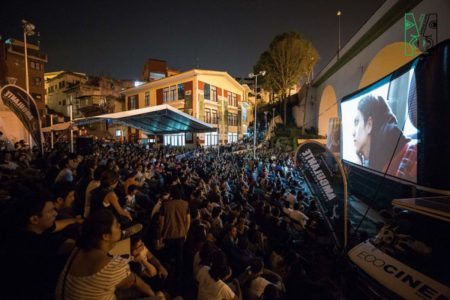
x=24, y=106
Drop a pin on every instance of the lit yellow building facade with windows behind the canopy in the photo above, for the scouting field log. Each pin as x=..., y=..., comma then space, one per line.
x=210, y=96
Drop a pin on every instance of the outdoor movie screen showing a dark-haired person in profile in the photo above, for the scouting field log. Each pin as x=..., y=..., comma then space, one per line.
x=379, y=126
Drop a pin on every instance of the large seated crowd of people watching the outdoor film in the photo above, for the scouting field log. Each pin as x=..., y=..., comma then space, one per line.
x=202, y=224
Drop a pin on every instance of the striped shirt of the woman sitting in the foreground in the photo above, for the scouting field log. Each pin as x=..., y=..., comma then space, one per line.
x=98, y=286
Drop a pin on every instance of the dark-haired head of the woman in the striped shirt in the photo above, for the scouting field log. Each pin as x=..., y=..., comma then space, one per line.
x=101, y=227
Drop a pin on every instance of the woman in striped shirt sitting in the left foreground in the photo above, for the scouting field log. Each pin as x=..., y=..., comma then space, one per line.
x=91, y=272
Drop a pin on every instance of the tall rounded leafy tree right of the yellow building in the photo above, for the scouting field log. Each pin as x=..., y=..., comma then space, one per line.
x=289, y=60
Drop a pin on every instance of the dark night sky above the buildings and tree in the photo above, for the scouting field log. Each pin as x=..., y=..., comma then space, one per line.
x=115, y=38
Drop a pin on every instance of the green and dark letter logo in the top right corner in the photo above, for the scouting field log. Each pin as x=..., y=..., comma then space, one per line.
x=420, y=33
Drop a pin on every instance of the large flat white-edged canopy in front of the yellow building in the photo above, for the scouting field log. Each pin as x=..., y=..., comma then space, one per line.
x=160, y=119
